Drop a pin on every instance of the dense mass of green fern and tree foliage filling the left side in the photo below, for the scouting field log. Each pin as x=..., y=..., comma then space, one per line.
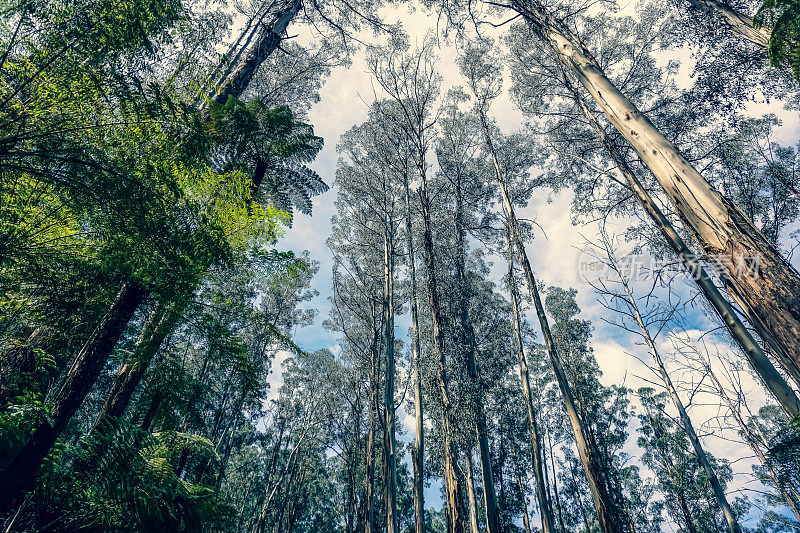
x=110, y=175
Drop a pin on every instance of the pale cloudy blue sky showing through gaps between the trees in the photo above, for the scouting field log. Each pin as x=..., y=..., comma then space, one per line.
x=555, y=251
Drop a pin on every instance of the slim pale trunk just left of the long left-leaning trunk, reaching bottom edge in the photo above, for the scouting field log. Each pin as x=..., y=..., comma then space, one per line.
x=545, y=509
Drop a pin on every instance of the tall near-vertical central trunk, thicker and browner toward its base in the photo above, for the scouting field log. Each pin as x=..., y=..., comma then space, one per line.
x=454, y=499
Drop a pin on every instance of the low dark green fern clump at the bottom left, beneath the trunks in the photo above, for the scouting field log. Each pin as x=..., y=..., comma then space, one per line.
x=135, y=486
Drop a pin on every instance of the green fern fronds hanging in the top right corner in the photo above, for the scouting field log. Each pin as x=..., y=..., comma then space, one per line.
x=783, y=16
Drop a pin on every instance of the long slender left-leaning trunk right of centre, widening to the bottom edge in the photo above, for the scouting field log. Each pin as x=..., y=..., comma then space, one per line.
x=610, y=516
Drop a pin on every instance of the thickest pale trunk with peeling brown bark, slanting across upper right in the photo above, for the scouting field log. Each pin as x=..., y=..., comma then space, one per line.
x=768, y=285
